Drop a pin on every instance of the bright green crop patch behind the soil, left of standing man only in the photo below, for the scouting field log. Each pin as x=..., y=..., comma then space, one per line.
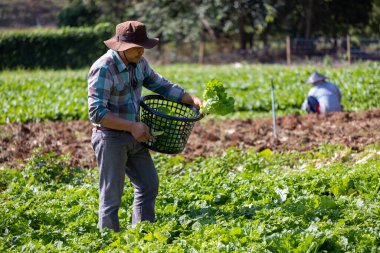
x=43, y=95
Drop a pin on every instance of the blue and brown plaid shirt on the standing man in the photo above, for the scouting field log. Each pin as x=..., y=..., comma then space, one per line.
x=115, y=87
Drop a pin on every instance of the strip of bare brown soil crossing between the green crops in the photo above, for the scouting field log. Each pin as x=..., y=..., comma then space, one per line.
x=209, y=137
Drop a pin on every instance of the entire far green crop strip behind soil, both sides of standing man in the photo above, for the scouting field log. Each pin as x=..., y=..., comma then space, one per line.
x=62, y=95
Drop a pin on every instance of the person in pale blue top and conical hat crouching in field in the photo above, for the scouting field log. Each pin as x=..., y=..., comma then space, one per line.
x=323, y=96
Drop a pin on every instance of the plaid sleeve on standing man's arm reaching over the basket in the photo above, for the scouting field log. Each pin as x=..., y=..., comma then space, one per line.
x=156, y=83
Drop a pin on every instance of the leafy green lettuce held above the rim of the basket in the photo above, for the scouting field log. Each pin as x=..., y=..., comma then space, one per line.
x=216, y=100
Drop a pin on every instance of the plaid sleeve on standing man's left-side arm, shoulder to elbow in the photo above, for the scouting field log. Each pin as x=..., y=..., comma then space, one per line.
x=99, y=89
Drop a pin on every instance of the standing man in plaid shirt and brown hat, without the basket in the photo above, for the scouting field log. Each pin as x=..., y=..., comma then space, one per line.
x=114, y=88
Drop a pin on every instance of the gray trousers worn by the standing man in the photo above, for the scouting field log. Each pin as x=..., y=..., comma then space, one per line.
x=119, y=154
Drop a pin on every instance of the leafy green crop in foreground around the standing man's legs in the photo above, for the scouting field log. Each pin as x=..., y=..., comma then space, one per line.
x=241, y=201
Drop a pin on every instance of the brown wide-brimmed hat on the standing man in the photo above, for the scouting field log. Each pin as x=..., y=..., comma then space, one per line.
x=130, y=34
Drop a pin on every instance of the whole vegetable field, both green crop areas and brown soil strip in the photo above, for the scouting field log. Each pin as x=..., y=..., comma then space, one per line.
x=235, y=188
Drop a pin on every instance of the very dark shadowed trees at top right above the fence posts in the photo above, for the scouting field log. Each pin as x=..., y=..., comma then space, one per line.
x=312, y=18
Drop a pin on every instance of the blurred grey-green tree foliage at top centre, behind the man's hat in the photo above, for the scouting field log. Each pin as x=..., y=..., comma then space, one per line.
x=195, y=20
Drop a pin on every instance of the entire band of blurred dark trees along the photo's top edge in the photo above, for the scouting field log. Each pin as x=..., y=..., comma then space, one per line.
x=207, y=20
